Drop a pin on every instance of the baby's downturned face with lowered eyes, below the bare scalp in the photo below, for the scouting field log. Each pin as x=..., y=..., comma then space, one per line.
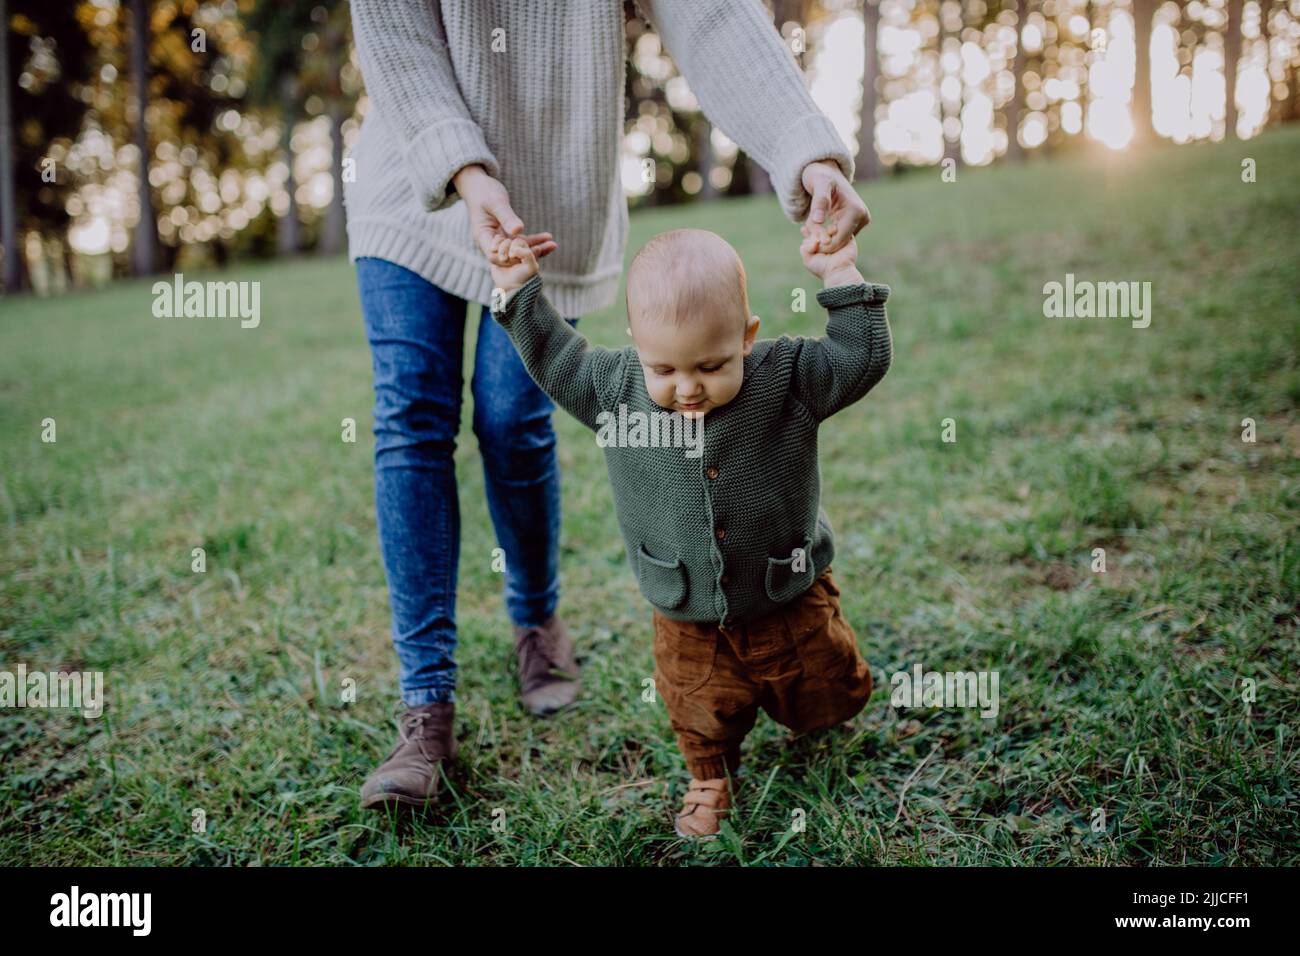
x=695, y=367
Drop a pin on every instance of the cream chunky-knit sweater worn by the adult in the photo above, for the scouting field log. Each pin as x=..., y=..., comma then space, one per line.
x=534, y=90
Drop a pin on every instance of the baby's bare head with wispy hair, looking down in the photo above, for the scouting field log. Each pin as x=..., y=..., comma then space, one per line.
x=690, y=318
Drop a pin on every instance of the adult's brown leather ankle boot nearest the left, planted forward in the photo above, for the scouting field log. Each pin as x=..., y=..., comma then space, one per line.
x=413, y=771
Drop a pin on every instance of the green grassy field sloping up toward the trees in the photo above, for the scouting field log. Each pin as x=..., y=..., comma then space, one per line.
x=1120, y=691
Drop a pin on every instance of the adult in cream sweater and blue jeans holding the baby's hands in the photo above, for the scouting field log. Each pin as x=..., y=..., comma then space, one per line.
x=518, y=111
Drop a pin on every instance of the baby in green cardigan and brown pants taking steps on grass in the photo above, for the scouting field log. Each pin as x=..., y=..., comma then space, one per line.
x=727, y=539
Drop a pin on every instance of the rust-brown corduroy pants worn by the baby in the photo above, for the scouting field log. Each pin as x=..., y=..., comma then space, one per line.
x=800, y=664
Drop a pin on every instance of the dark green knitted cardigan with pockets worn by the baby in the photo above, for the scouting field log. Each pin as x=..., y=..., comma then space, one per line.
x=738, y=531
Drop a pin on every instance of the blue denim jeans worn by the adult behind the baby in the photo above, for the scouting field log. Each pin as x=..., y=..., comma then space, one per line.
x=417, y=334
